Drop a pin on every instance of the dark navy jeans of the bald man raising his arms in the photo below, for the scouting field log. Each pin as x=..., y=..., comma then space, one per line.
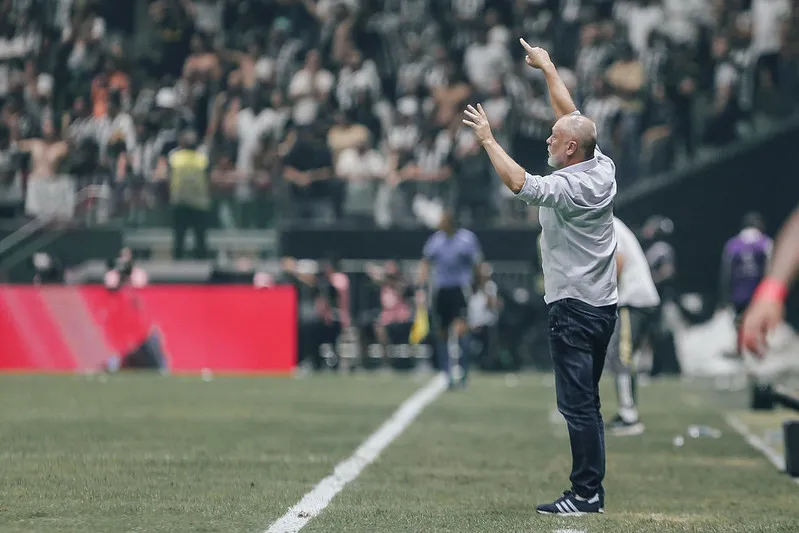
x=579, y=334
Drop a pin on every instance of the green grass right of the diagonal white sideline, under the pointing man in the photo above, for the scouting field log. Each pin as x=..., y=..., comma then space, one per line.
x=480, y=460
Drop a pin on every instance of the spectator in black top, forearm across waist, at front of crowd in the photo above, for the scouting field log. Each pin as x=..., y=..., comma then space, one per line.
x=308, y=171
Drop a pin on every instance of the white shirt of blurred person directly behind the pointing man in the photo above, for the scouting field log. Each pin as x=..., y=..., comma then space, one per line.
x=636, y=287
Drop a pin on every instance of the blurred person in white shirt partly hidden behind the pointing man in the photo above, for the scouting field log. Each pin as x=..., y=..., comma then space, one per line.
x=638, y=305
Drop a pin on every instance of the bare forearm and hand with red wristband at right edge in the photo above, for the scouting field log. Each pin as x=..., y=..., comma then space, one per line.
x=767, y=309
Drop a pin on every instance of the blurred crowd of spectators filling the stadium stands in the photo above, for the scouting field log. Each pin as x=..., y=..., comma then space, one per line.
x=349, y=110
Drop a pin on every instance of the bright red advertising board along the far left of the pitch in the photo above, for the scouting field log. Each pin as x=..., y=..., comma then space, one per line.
x=188, y=328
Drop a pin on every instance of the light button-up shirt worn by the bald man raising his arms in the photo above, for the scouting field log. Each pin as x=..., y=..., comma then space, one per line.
x=578, y=241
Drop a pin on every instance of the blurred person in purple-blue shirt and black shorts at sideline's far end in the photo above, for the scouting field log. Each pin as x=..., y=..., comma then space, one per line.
x=454, y=255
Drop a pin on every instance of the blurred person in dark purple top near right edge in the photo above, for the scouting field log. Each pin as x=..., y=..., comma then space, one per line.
x=744, y=264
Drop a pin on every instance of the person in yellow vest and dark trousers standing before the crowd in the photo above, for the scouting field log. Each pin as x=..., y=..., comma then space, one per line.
x=189, y=195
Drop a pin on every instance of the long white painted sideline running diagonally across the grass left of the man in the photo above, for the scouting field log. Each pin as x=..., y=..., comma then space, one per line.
x=323, y=493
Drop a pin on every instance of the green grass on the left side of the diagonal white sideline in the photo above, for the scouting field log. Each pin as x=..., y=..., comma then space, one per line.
x=165, y=454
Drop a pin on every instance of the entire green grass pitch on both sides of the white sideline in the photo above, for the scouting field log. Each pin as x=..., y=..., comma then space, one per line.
x=177, y=454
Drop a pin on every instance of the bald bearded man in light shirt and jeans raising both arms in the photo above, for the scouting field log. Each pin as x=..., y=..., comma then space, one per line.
x=578, y=249
